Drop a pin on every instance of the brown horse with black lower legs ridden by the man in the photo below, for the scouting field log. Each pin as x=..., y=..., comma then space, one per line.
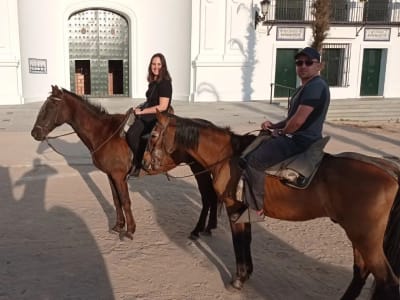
x=361, y=195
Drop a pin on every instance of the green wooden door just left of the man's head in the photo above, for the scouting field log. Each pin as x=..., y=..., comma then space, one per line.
x=285, y=72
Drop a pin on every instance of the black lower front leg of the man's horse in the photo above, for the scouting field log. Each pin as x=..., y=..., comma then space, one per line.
x=241, y=238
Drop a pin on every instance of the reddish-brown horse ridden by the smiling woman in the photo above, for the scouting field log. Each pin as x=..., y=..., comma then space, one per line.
x=100, y=132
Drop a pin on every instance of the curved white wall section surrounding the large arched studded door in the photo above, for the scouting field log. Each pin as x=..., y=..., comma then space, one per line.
x=156, y=26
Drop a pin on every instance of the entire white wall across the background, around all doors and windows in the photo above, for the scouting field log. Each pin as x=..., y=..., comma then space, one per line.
x=212, y=49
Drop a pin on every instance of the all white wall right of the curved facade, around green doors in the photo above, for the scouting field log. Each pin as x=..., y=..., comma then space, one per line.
x=233, y=62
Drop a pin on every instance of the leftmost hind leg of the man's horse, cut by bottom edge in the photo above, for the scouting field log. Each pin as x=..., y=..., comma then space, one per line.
x=360, y=274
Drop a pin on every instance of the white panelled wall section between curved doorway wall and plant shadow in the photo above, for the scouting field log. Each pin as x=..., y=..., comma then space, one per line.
x=223, y=44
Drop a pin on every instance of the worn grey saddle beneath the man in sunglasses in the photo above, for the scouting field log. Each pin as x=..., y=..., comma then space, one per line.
x=297, y=171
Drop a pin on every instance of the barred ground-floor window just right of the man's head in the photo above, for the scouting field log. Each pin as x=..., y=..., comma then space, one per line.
x=337, y=61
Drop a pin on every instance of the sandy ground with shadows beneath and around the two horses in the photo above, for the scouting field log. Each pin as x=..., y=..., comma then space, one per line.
x=55, y=241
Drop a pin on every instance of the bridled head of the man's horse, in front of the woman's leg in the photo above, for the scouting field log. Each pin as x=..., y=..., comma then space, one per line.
x=161, y=154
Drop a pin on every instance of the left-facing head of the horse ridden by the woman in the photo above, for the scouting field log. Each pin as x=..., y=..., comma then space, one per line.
x=50, y=116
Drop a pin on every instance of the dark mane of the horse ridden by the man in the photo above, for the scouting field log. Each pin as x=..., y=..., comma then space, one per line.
x=188, y=131
